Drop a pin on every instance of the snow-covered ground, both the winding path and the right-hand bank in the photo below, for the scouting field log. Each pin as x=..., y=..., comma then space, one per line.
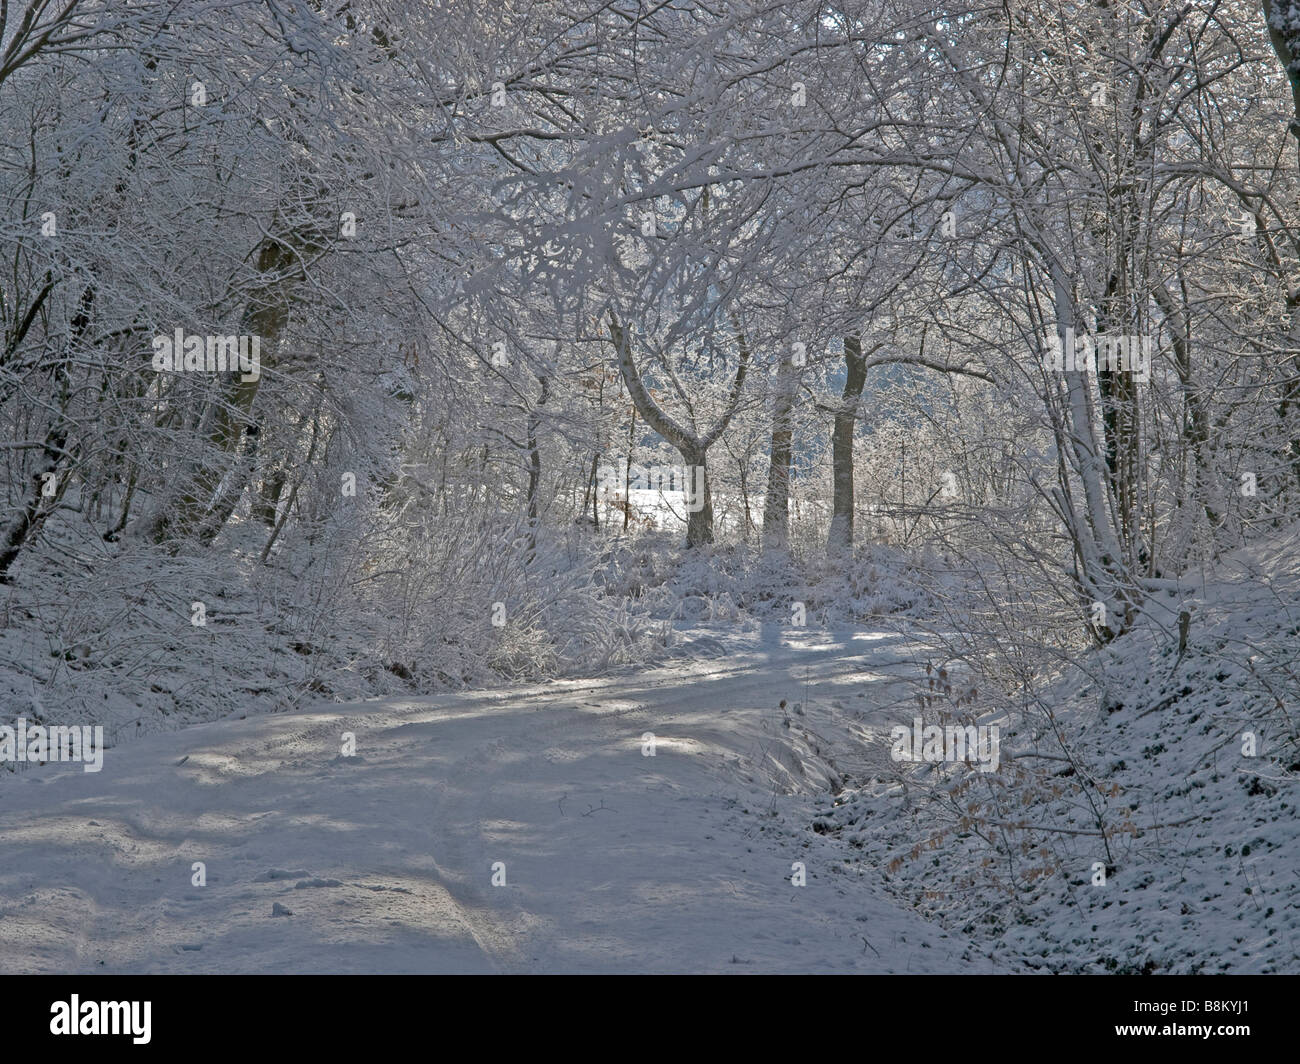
x=1130, y=759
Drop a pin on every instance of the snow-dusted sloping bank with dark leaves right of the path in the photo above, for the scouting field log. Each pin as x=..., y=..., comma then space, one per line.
x=1203, y=842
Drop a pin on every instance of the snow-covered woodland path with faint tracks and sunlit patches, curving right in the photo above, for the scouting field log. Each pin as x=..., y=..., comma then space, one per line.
x=384, y=862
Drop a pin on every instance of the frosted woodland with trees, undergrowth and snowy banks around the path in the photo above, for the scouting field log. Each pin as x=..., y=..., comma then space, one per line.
x=356, y=353
